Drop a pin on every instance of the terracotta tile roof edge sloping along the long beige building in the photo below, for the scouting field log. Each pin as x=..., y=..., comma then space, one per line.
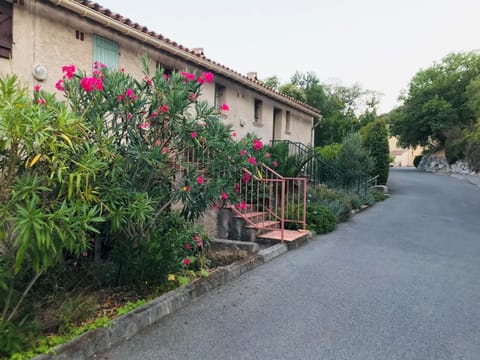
x=126, y=21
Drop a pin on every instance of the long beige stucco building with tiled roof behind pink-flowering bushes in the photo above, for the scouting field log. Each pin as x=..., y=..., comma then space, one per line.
x=38, y=37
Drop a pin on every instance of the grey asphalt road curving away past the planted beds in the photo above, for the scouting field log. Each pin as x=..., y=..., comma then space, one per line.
x=398, y=281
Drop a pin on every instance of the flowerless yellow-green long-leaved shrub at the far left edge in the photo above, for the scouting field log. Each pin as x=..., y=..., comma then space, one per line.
x=47, y=191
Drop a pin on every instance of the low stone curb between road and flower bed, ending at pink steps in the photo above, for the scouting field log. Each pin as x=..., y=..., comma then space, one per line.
x=123, y=328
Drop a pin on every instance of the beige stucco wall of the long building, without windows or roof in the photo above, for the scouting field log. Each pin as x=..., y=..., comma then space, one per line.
x=45, y=34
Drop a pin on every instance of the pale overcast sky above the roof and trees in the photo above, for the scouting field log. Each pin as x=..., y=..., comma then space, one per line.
x=379, y=44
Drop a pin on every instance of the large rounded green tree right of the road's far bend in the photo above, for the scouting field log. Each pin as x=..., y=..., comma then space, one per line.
x=437, y=100
